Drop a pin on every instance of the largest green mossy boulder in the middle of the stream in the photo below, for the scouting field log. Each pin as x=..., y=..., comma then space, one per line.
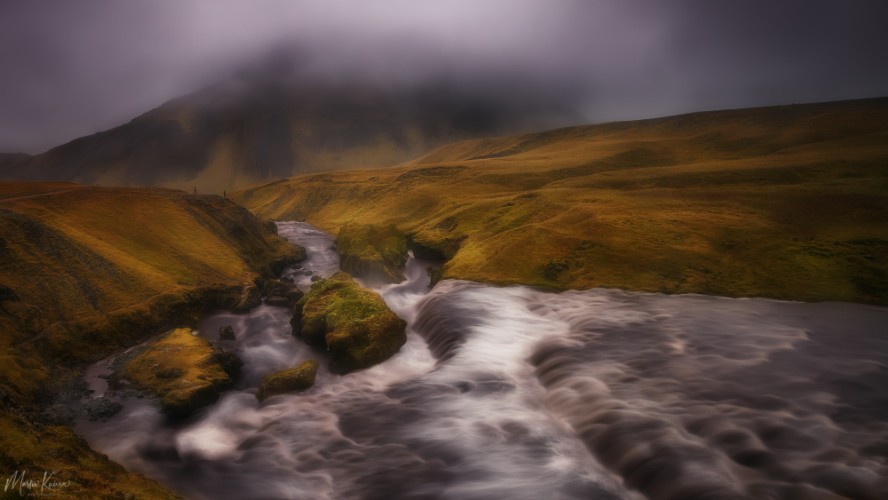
x=353, y=324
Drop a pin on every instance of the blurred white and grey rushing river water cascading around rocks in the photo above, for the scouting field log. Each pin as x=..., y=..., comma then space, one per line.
x=512, y=392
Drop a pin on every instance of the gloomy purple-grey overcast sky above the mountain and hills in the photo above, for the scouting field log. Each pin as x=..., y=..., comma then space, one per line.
x=71, y=68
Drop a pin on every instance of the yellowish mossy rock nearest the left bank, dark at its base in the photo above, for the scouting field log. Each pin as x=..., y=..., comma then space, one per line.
x=183, y=370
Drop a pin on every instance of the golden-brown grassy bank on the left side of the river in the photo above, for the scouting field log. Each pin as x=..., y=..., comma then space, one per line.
x=89, y=270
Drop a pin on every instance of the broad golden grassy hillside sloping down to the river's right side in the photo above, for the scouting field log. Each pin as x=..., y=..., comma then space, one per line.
x=787, y=202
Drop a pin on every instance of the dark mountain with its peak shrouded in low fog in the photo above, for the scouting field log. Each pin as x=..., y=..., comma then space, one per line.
x=253, y=129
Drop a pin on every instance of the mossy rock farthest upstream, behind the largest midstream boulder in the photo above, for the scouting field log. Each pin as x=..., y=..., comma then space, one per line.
x=374, y=253
